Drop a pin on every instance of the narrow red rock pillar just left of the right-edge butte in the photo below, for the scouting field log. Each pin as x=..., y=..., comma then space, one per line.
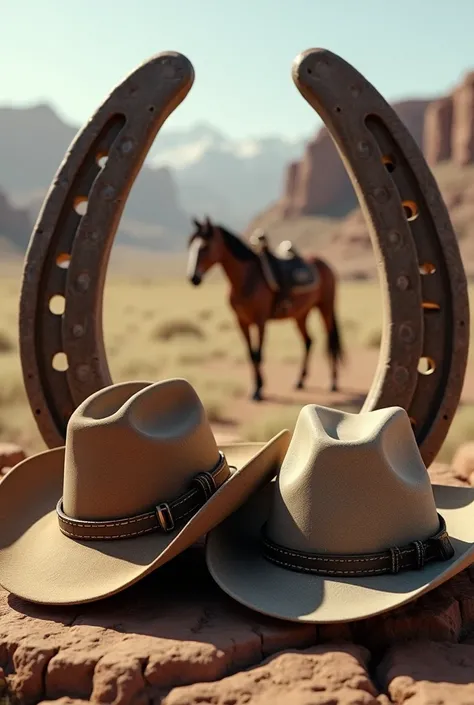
x=437, y=131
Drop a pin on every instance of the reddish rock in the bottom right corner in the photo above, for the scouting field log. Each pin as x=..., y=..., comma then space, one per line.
x=426, y=673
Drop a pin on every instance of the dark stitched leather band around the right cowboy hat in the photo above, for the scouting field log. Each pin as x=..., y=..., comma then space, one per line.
x=410, y=557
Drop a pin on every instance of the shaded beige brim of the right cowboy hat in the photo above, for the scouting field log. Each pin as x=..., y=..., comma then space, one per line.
x=236, y=563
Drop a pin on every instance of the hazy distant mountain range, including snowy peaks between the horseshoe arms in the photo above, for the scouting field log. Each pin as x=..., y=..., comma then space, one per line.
x=188, y=172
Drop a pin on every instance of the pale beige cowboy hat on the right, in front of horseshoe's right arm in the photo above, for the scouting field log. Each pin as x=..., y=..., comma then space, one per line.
x=351, y=526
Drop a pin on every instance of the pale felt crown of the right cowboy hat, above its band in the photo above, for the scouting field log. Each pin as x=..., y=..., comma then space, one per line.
x=352, y=483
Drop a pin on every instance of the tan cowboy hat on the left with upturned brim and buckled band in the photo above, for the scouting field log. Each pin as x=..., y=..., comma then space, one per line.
x=139, y=480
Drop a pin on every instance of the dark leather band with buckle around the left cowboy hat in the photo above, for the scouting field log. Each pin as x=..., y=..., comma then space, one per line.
x=165, y=517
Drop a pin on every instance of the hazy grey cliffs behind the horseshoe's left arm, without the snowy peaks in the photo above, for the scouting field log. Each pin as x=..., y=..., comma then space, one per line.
x=33, y=141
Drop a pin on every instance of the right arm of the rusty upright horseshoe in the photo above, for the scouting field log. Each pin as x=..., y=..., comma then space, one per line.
x=424, y=288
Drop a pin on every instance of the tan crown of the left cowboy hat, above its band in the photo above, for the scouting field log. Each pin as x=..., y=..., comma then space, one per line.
x=134, y=445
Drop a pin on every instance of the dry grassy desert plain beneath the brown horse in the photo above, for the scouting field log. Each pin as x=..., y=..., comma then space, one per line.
x=156, y=326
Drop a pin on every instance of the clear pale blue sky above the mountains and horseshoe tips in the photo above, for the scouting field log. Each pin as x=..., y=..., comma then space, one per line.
x=71, y=54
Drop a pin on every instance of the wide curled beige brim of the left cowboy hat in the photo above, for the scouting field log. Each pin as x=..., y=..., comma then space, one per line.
x=40, y=564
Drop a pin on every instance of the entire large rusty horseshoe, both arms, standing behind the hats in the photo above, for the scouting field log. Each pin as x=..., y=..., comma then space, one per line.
x=424, y=289
